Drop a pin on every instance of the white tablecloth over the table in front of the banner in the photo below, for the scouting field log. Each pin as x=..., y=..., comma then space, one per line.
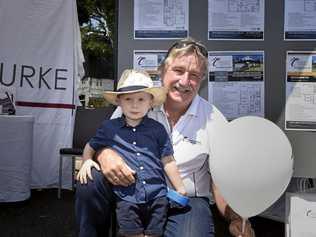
x=16, y=147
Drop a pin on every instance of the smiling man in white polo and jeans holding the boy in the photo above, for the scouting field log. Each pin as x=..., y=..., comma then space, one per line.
x=191, y=123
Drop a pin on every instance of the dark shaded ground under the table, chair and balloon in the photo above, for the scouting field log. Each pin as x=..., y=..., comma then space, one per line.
x=43, y=215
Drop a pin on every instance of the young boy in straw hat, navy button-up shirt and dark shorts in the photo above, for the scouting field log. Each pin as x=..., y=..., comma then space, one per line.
x=145, y=146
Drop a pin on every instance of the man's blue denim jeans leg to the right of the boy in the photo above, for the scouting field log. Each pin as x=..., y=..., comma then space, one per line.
x=191, y=221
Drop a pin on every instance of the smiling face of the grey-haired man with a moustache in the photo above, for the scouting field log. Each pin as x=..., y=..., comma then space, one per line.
x=183, y=79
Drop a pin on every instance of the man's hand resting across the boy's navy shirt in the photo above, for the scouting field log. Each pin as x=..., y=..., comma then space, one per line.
x=114, y=168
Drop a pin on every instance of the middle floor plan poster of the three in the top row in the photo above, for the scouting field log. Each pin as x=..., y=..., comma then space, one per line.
x=235, y=19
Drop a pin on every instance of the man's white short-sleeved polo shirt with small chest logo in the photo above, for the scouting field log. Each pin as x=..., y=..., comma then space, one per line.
x=191, y=138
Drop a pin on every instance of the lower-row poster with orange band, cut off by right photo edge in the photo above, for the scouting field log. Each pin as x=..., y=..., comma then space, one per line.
x=300, y=109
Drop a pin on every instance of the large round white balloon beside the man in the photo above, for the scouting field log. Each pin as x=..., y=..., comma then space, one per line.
x=251, y=164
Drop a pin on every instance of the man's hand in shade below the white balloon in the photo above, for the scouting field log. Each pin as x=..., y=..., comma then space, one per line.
x=235, y=226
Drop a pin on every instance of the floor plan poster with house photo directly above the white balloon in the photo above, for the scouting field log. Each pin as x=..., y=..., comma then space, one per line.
x=236, y=82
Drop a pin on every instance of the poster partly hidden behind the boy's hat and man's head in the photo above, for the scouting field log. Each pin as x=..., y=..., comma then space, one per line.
x=149, y=60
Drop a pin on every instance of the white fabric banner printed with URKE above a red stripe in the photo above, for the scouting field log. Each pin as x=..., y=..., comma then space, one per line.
x=40, y=56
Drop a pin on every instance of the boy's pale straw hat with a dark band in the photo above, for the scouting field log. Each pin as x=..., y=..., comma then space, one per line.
x=133, y=81
